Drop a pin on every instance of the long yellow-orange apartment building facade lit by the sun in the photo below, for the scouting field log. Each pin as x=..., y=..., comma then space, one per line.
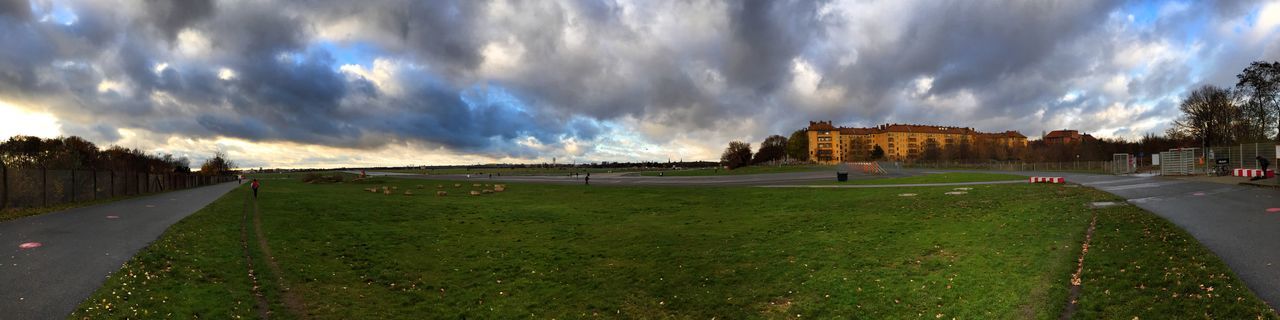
x=830, y=144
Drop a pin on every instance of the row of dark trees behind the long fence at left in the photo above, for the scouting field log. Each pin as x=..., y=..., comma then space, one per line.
x=76, y=153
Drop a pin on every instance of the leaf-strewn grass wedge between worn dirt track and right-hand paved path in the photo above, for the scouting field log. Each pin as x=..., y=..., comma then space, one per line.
x=1142, y=266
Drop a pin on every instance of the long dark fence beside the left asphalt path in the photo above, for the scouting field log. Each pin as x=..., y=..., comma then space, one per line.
x=25, y=188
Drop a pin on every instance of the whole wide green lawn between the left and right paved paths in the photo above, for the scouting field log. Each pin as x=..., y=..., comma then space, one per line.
x=725, y=253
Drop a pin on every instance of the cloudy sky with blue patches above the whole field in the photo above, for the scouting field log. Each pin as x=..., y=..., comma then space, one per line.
x=324, y=84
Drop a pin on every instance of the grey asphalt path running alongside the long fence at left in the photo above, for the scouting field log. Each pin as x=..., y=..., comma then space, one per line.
x=80, y=248
